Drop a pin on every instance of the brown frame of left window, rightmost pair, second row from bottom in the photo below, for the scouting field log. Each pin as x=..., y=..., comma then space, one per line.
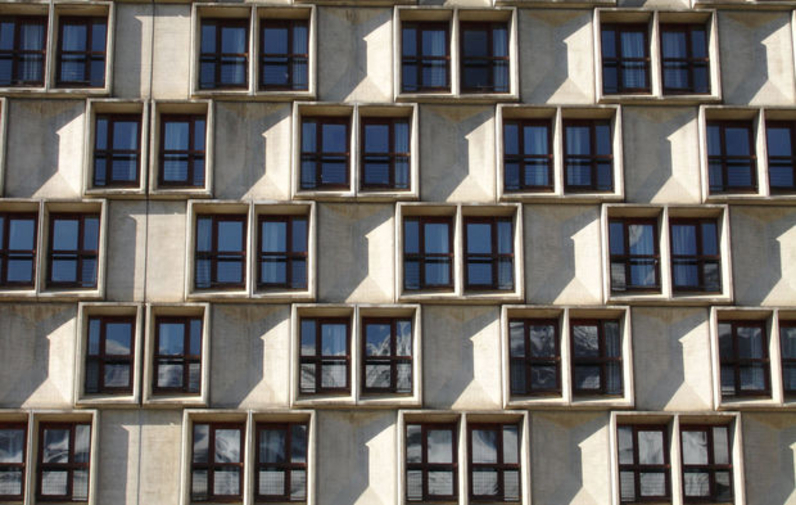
x=738, y=363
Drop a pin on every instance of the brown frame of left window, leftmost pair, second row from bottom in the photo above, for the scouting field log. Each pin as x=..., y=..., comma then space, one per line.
x=102, y=358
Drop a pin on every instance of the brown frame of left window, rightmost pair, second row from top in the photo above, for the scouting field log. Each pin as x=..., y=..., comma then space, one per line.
x=724, y=159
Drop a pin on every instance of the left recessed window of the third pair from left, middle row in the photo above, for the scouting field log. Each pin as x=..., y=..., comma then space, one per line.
x=428, y=253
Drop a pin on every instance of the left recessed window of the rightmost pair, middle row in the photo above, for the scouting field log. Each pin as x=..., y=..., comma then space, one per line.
x=635, y=260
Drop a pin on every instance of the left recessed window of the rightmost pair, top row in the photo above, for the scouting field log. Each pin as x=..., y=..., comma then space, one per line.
x=626, y=58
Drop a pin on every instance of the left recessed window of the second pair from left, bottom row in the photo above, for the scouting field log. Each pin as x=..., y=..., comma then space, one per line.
x=217, y=461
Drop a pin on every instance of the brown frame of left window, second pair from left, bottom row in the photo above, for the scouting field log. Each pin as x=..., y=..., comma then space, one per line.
x=211, y=466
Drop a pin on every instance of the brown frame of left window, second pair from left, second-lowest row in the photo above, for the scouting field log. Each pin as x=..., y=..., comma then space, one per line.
x=318, y=359
